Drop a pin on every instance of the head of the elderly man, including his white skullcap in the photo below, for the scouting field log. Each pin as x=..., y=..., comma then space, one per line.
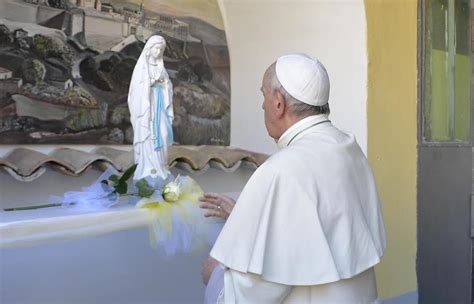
x=294, y=87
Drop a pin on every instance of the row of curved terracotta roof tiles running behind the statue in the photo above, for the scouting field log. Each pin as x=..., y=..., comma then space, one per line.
x=27, y=165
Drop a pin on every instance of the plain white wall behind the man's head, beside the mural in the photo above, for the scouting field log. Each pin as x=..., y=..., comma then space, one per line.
x=260, y=31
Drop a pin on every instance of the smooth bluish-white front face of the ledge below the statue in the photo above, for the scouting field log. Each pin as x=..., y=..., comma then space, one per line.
x=115, y=268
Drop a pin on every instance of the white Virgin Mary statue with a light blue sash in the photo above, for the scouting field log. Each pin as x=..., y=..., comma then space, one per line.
x=151, y=111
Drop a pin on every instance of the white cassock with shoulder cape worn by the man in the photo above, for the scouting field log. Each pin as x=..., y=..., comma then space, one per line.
x=308, y=226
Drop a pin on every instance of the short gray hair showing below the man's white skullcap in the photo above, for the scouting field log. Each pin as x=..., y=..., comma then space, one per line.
x=297, y=107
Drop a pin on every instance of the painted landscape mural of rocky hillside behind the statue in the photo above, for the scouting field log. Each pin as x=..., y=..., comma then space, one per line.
x=65, y=69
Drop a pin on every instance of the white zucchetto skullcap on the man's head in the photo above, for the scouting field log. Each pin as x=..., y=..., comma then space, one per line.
x=304, y=78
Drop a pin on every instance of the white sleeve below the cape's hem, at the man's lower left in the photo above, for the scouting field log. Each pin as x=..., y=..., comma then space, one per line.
x=249, y=288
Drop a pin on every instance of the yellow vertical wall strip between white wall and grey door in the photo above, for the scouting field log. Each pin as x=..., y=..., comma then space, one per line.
x=392, y=130
